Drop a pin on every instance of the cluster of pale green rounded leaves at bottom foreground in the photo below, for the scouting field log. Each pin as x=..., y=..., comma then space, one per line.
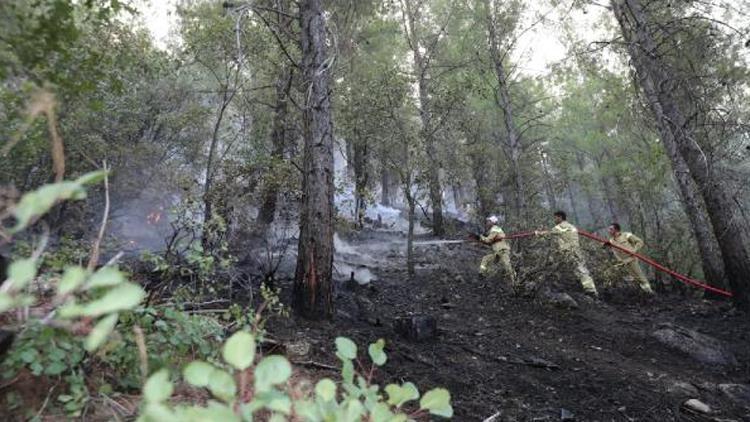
x=270, y=392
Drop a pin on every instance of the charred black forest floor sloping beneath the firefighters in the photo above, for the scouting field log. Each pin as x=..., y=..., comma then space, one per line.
x=523, y=359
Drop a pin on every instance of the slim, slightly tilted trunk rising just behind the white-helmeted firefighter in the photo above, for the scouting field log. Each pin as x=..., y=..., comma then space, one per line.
x=502, y=99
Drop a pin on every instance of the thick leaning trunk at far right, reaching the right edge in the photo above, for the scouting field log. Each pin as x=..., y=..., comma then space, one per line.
x=677, y=135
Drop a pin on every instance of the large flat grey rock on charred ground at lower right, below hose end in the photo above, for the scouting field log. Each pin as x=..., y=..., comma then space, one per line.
x=699, y=346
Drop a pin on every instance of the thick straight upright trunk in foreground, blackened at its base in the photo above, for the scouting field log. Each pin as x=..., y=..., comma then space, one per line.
x=313, y=287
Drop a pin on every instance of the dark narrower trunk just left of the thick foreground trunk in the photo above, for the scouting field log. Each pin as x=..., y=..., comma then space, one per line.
x=278, y=142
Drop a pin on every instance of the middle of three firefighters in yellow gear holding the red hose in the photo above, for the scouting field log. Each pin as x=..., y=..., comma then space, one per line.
x=569, y=251
